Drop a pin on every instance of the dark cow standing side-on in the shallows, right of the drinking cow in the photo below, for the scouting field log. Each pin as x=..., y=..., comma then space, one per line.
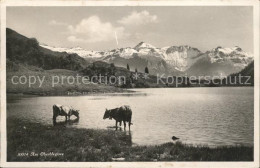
x=123, y=113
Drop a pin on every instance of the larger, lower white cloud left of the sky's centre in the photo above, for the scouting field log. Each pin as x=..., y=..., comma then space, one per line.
x=93, y=30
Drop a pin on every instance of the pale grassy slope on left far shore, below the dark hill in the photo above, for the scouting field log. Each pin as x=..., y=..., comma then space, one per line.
x=47, y=87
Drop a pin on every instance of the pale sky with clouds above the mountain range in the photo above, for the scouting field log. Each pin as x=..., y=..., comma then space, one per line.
x=103, y=28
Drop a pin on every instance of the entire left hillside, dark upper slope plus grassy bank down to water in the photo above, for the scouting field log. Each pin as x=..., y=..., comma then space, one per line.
x=26, y=58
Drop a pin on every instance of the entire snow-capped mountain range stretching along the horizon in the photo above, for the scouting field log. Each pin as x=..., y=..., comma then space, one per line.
x=170, y=59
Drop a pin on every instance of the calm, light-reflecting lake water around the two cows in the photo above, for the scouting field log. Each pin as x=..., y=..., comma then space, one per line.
x=205, y=116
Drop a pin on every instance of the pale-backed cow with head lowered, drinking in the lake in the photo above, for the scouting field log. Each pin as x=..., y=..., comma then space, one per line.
x=64, y=111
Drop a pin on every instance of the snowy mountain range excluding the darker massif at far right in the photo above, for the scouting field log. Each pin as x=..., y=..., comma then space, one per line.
x=168, y=60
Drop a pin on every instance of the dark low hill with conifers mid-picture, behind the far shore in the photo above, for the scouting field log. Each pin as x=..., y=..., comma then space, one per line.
x=131, y=79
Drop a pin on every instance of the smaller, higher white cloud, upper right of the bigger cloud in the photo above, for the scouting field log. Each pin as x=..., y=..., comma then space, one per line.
x=140, y=18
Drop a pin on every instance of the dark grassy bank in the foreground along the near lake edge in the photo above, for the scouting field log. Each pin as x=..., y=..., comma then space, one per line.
x=36, y=142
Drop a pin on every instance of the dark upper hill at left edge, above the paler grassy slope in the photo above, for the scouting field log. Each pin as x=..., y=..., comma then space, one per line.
x=26, y=51
